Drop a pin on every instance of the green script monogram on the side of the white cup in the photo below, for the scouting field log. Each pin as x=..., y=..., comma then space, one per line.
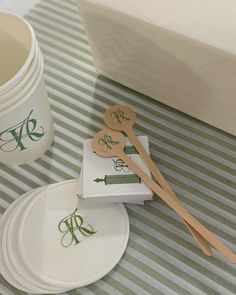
x=13, y=138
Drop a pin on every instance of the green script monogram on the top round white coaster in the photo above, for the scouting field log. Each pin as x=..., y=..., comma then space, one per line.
x=70, y=226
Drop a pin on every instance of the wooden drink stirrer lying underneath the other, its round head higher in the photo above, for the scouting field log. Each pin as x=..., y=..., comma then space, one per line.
x=122, y=118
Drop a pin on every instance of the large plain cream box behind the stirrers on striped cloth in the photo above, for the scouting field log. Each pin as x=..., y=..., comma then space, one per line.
x=182, y=52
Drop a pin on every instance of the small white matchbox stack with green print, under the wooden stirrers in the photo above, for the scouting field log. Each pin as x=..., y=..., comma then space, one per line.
x=110, y=179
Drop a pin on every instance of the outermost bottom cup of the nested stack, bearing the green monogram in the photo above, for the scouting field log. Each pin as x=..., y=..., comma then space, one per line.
x=26, y=128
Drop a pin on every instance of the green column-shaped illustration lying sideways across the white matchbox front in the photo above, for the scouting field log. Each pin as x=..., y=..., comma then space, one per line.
x=119, y=179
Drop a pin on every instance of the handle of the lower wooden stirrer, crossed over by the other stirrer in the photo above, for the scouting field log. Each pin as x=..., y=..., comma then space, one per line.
x=164, y=184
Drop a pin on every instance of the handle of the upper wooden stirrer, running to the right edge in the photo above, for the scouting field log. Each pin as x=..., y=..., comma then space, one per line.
x=183, y=213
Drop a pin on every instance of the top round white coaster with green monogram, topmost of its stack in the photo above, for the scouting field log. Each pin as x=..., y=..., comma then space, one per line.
x=71, y=248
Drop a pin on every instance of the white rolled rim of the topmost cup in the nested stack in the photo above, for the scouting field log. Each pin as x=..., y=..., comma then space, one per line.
x=30, y=56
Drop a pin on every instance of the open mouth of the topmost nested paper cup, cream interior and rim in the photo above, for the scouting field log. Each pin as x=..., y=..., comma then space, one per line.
x=17, y=49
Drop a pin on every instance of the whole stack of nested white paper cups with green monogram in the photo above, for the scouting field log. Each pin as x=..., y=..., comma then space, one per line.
x=26, y=127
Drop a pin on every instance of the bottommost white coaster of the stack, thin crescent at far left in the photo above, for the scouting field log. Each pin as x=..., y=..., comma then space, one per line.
x=3, y=268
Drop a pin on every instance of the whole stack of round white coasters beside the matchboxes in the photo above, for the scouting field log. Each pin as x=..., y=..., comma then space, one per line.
x=52, y=242
